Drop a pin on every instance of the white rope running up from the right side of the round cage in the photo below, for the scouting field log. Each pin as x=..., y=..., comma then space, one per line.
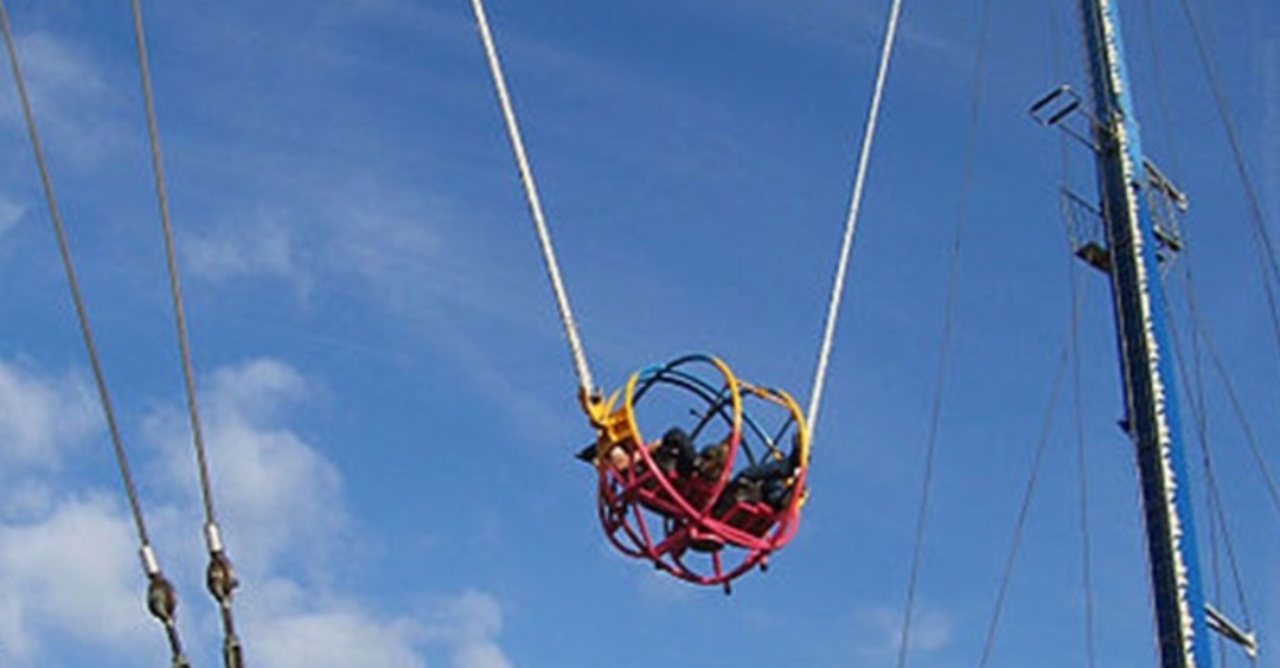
x=852, y=223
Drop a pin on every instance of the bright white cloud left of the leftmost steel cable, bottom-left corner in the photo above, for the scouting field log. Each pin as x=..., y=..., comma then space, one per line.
x=68, y=565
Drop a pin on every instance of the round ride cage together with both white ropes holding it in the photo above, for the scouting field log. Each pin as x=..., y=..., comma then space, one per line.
x=730, y=497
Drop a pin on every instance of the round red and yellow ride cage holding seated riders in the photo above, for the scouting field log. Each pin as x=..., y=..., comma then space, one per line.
x=730, y=497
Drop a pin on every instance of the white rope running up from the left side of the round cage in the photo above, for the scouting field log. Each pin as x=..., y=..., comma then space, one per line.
x=536, y=208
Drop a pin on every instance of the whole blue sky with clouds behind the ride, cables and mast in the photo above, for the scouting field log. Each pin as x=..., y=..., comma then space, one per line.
x=388, y=400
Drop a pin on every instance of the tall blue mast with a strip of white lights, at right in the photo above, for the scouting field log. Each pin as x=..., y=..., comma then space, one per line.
x=1146, y=354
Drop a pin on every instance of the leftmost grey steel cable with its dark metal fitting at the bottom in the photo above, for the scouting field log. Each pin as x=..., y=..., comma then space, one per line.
x=161, y=597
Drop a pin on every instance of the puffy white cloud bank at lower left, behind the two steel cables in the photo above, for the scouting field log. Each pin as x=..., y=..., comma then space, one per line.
x=70, y=573
